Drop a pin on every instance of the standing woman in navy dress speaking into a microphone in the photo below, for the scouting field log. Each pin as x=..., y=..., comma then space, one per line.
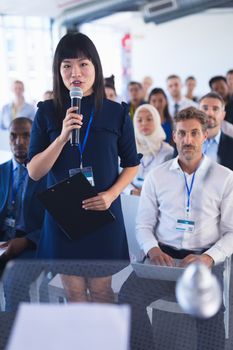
x=108, y=131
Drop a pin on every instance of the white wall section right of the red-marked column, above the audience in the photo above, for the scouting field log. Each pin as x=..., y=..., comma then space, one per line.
x=198, y=45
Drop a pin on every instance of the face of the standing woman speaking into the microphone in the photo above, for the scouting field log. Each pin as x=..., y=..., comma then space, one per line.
x=78, y=72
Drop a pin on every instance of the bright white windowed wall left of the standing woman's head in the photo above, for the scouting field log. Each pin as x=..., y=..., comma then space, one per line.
x=25, y=50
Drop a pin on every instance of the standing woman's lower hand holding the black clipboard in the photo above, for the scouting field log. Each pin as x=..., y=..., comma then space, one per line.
x=100, y=202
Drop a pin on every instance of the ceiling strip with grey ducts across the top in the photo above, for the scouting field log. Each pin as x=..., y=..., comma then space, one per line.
x=80, y=11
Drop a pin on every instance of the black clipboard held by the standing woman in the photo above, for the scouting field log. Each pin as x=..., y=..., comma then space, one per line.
x=64, y=202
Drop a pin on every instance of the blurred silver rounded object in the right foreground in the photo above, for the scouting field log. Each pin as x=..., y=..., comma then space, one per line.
x=198, y=291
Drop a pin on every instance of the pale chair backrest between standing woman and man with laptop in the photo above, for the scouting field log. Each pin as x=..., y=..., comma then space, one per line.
x=129, y=208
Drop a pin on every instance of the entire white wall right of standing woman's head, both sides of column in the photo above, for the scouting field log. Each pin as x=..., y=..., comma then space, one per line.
x=198, y=45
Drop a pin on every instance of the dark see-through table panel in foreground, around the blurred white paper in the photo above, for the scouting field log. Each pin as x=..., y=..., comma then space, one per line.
x=157, y=321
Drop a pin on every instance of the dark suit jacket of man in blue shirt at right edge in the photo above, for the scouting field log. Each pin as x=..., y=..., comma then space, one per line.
x=225, y=151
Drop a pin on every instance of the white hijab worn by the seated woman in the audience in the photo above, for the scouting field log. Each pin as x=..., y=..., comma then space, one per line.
x=150, y=144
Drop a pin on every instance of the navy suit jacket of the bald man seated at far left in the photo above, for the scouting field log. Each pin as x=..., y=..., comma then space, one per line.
x=33, y=210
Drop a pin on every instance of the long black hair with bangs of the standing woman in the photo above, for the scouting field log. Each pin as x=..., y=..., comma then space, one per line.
x=76, y=45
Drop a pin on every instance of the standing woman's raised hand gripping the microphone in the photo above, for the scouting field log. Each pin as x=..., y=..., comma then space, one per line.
x=72, y=121
